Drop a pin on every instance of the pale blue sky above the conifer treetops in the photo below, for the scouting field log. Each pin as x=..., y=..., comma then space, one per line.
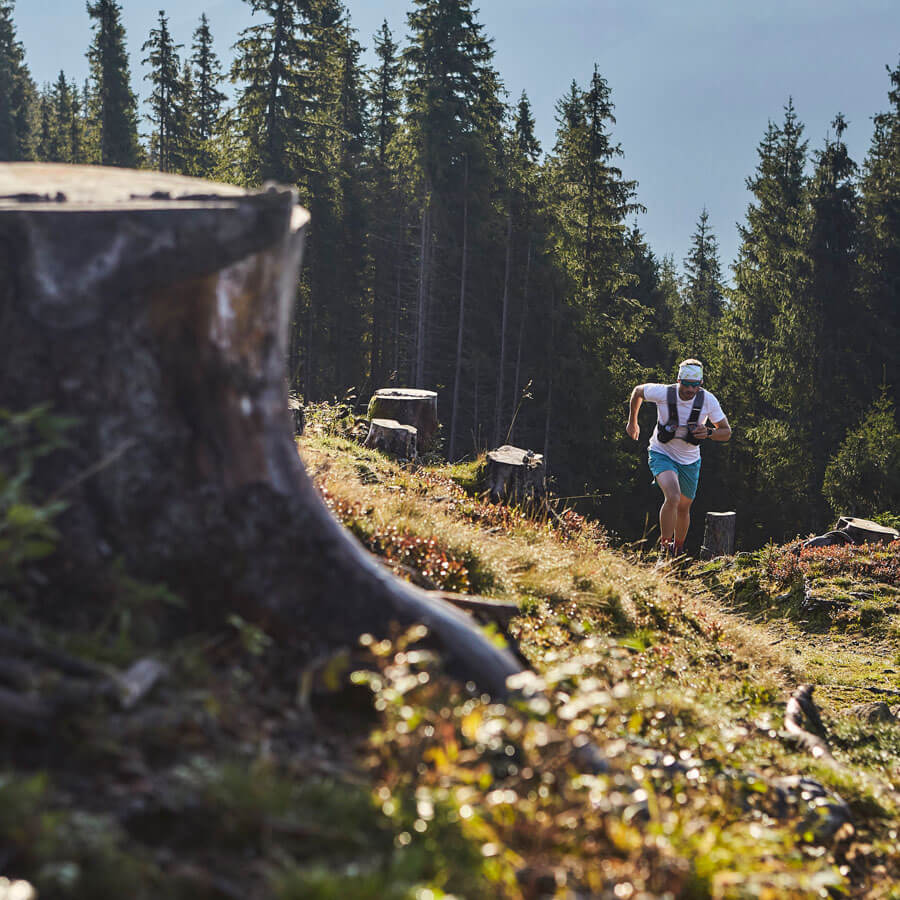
x=694, y=82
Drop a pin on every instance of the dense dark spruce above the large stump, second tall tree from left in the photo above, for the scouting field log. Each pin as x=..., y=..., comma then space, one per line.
x=114, y=105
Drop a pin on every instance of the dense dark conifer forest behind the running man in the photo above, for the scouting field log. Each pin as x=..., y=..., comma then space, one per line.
x=449, y=250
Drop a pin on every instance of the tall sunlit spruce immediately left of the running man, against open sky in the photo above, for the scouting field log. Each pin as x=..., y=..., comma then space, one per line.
x=599, y=320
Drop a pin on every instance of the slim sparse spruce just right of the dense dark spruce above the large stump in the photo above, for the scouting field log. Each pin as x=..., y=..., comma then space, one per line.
x=166, y=96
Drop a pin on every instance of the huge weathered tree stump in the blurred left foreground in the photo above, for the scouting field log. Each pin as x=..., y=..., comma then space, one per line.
x=154, y=309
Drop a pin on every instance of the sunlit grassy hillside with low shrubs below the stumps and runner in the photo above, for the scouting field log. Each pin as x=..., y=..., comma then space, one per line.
x=646, y=755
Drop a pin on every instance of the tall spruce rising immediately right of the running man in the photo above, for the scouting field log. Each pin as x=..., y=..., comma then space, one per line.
x=765, y=386
